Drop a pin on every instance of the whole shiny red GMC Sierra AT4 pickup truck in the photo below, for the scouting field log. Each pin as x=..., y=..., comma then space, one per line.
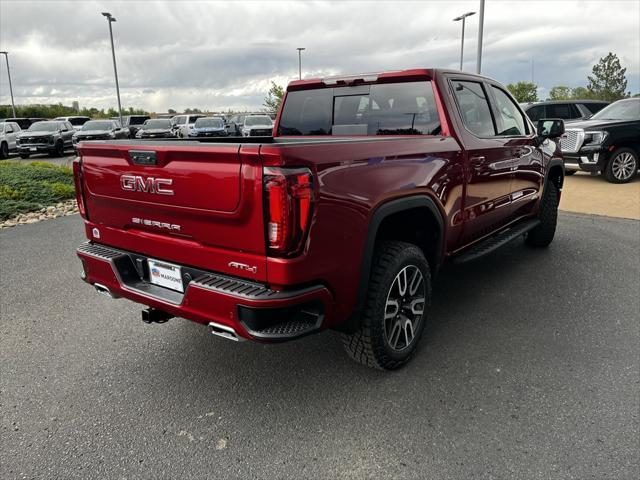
x=340, y=220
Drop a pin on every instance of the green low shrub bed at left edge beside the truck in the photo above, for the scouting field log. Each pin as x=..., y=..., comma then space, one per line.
x=28, y=187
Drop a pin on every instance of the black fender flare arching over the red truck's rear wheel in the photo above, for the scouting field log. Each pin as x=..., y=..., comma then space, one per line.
x=379, y=215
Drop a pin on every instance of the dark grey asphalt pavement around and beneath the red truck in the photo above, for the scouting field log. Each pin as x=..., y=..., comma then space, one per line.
x=529, y=370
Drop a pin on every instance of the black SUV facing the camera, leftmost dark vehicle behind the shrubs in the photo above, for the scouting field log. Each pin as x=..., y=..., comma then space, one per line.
x=51, y=137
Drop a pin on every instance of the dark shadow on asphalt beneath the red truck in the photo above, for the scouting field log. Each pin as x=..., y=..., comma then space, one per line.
x=483, y=315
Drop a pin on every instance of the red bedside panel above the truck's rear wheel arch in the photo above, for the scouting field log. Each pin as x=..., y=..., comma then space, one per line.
x=353, y=179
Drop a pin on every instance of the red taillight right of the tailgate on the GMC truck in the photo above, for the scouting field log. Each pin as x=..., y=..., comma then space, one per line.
x=288, y=198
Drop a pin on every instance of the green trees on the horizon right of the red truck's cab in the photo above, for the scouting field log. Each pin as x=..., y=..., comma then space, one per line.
x=607, y=82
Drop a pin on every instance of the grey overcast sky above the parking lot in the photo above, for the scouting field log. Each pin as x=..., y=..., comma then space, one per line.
x=219, y=55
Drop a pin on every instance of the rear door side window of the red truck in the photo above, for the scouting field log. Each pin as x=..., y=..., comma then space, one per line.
x=474, y=108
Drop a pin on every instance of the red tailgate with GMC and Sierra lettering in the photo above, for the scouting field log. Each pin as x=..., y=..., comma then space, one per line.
x=195, y=204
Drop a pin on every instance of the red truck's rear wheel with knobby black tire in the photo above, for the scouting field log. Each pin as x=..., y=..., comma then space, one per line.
x=372, y=343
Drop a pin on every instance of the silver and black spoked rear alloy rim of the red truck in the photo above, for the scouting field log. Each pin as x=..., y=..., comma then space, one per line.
x=404, y=307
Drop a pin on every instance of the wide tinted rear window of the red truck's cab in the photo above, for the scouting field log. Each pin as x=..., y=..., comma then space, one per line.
x=404, y=108
